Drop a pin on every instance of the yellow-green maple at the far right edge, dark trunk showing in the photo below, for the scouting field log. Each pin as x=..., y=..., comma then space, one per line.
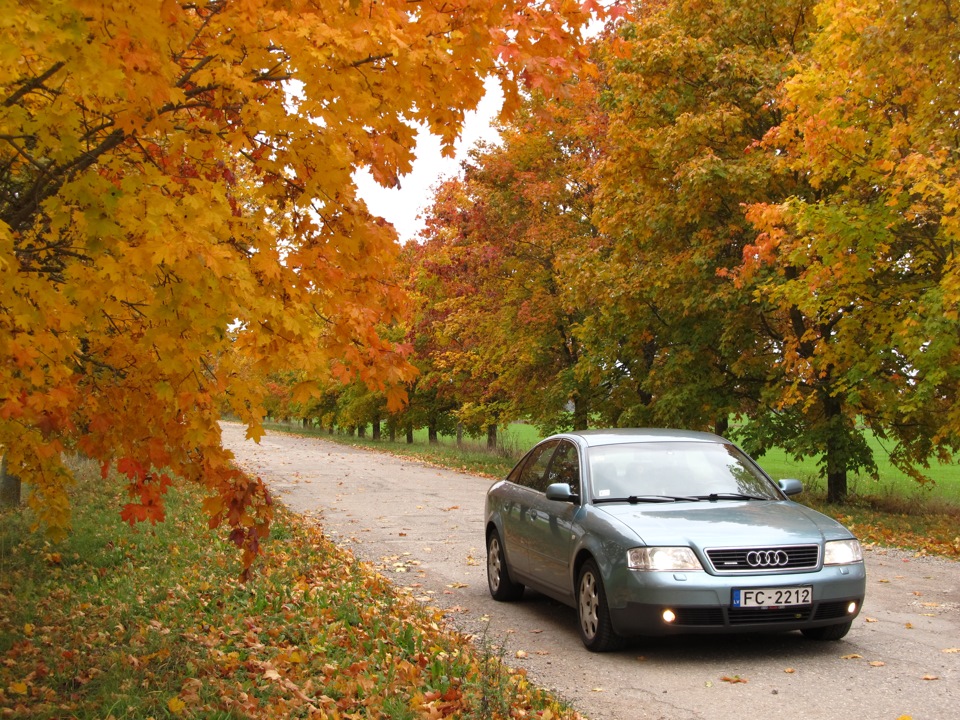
x=862, y=264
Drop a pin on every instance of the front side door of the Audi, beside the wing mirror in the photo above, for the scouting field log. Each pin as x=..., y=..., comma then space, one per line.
x=550, y=535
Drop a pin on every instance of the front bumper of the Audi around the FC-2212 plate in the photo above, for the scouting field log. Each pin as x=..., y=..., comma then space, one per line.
x=703, y=603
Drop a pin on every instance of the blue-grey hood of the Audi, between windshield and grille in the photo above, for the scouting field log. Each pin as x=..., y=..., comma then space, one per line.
x=724, y=523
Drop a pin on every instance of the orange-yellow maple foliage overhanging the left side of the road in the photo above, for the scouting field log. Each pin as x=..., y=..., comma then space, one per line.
x=178, y=215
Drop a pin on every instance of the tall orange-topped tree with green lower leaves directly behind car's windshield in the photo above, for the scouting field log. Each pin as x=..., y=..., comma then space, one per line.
x=692, y=87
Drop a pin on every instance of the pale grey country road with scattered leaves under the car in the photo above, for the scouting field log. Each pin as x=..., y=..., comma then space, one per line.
x=422, y=526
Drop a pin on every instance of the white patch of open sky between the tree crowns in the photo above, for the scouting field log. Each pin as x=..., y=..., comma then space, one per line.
x=402, y=206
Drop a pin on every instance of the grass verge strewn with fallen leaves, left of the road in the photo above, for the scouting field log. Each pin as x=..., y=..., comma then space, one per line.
x=151, y=622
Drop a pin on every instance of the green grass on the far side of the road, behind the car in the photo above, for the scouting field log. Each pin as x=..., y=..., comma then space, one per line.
x=894, y=511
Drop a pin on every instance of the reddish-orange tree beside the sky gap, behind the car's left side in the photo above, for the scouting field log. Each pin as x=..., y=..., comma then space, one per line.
x=505, y=248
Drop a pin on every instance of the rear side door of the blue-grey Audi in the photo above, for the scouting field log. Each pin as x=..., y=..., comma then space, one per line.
x=524, y=487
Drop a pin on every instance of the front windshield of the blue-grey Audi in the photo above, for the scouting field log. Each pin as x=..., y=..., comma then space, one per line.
x=676, y=471
